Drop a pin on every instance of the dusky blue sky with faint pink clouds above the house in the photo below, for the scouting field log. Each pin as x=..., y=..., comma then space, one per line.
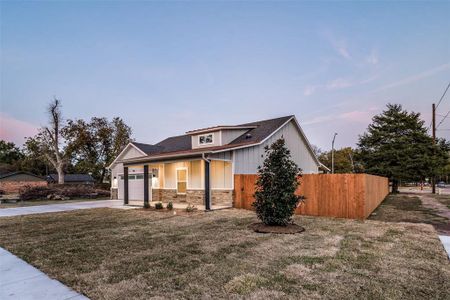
x=169, y=67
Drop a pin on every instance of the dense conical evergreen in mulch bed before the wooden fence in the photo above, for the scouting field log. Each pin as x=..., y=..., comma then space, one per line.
x=275, y=199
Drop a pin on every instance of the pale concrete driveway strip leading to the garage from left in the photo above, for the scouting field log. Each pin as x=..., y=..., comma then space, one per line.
x=39, y=209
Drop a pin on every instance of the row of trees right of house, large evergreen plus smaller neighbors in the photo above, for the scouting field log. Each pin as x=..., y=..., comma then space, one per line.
x=395, y=145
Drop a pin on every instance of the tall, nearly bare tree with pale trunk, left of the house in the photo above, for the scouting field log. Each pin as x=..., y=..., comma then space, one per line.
x=49, y=138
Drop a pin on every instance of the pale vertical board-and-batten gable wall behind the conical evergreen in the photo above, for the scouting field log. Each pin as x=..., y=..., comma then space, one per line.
x=247, y=160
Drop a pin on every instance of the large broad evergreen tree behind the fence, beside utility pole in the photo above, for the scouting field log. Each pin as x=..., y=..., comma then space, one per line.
x=396, y=145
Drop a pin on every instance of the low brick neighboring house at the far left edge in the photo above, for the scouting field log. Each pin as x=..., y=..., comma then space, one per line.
x=11, y=183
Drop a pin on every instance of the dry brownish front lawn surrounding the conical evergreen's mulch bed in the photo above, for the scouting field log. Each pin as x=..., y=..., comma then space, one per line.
x=138, y=254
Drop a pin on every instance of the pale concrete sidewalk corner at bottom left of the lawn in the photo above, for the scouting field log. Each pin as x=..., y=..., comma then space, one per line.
x=19, y=280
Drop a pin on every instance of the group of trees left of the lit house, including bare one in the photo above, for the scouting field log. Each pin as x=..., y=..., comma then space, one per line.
x=68, y=146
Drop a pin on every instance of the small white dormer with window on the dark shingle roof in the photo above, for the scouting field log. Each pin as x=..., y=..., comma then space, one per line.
x=216, y=136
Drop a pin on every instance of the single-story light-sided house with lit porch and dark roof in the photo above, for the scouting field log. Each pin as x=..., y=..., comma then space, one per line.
x=199, y=166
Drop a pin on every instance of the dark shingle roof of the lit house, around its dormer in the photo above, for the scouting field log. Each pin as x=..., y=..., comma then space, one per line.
x=182, y=143
